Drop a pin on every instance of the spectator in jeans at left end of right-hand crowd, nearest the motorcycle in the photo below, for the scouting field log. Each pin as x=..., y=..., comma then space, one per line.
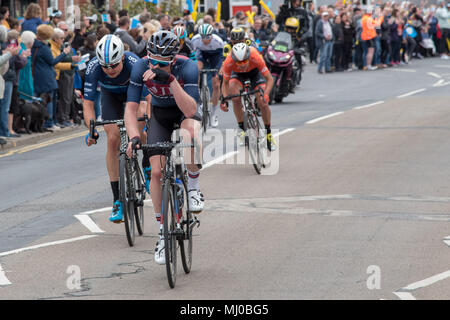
x=324, y=42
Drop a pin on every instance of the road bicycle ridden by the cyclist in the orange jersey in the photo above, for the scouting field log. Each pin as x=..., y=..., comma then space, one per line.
x=255, y=138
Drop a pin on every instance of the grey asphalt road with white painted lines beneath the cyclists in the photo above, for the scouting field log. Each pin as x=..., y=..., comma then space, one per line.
x=357, y=205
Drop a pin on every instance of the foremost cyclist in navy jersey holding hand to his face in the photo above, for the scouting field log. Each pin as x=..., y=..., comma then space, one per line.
x=172, y=82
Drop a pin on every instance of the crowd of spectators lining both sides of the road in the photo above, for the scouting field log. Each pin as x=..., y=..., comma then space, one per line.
x=46, y=57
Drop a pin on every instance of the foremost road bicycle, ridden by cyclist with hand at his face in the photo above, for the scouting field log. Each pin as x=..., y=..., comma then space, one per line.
x=177, y=218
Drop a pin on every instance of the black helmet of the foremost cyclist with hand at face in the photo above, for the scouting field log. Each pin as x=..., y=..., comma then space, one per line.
x=163, y=43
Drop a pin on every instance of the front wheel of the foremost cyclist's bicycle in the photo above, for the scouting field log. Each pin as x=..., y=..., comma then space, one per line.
x=169, y=229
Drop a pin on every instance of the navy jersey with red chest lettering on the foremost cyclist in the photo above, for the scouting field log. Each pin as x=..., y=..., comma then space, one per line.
x=183, y=69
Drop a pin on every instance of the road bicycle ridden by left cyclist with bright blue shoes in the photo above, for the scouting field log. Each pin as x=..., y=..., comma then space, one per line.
x=131, y=181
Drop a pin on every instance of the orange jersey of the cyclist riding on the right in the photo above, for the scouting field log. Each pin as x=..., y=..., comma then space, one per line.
x=255, y=66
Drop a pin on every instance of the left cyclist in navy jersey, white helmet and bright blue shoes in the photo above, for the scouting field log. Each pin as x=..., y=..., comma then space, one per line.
x=111, y=70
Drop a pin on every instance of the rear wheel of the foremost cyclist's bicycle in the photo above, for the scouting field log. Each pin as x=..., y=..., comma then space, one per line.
x=187, y=225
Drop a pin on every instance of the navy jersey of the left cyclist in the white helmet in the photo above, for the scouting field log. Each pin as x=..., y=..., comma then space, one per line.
x=95, y=76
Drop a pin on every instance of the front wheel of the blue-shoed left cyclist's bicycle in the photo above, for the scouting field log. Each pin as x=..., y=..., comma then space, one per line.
x=125, y=181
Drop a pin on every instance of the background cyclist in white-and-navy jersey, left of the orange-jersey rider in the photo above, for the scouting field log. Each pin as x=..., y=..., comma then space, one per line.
x=209, y=48
